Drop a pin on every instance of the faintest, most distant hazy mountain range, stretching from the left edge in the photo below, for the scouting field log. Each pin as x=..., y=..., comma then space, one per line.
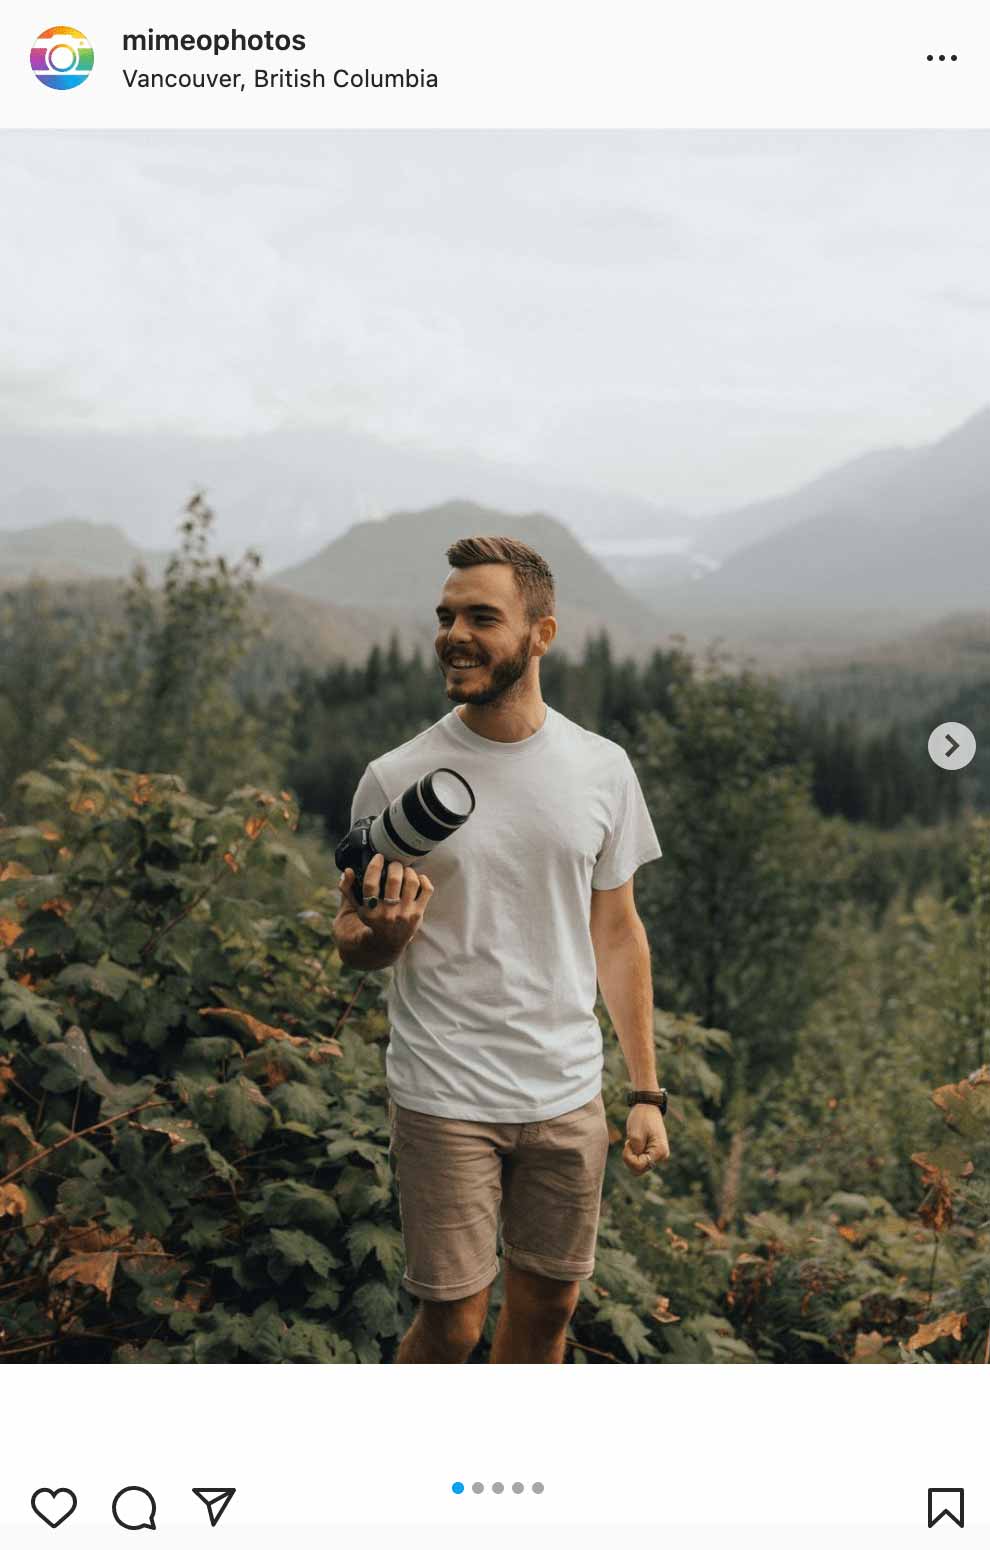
x=284, y=492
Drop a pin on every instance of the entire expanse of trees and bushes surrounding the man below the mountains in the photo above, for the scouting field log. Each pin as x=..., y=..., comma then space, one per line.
x=193, y=1109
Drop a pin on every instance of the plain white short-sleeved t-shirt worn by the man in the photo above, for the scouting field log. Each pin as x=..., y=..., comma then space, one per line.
x=493, y=1002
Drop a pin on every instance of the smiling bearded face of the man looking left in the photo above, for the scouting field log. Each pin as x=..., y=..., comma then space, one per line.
x=484, y=639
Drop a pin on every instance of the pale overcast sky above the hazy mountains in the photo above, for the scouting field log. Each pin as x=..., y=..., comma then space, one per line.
x=698, y=319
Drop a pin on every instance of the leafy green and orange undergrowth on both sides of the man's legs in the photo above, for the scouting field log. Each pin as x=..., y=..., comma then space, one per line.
x=194, y=1134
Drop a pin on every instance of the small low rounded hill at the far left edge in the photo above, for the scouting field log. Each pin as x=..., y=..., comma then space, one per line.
x=74, y=551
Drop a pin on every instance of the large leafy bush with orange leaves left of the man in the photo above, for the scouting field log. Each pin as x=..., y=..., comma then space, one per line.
x=194, y=1149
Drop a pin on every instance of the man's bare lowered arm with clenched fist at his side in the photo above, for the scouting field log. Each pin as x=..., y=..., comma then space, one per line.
x=622, y=956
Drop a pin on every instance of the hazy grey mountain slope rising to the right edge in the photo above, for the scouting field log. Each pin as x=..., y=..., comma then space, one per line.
x=909, y=545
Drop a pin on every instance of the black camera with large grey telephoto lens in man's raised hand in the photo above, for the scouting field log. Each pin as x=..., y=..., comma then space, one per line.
x=427, y=813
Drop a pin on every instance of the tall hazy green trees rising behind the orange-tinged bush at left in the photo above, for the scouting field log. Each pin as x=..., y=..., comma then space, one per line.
x=154, y=681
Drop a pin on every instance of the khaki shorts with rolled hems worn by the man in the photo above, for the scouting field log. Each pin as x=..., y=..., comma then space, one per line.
x=458, y=1179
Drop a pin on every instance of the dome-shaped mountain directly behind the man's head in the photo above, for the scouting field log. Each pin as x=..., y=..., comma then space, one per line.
x=400, y=563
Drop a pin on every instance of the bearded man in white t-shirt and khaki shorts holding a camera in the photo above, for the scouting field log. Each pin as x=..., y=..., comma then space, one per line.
x=498, y=940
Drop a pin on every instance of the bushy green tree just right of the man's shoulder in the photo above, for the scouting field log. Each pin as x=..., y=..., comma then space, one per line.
x=749, y=864
